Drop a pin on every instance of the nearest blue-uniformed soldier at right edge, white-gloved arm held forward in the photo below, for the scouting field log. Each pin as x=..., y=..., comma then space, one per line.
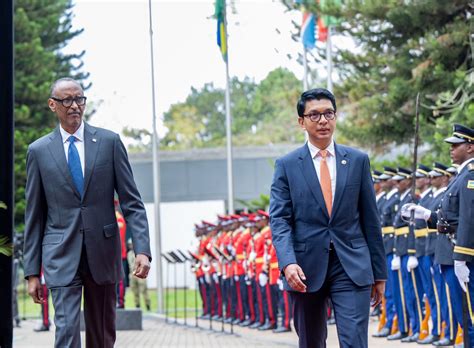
x=455, y=223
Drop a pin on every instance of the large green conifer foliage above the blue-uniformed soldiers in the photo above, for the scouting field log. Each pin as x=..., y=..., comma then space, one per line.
x=421, y=46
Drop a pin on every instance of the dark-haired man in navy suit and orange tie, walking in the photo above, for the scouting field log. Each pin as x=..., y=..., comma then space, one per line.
x=326, y=229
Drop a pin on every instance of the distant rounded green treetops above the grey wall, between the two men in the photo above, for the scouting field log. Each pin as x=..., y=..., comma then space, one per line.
x=262, y=113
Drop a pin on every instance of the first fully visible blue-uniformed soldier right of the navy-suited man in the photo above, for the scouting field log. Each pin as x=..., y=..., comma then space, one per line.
x=406, y=261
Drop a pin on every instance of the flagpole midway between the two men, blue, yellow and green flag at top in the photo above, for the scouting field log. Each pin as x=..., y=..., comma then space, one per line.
x=228, y=118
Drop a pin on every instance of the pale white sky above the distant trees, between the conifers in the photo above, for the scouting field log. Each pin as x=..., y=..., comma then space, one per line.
x=117, y=44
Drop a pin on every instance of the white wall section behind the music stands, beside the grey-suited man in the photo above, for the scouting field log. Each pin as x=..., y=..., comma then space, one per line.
x=177, y=232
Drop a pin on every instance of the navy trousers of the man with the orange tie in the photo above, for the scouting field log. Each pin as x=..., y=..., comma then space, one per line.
x=351, y=307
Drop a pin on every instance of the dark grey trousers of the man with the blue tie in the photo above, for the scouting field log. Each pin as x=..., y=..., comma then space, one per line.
x=99, y=310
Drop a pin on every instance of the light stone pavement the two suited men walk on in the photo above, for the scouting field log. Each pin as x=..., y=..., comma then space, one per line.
x=157, y=333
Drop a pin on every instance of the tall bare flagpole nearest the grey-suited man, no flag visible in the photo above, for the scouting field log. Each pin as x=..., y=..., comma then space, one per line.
x=156, y=177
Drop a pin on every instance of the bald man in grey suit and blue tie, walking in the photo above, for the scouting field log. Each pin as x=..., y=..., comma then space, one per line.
x=70, y=225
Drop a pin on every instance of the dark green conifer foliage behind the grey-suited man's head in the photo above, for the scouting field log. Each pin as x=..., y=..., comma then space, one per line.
x=42, y=29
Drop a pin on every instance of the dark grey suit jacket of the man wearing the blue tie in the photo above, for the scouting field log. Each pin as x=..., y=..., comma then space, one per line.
x=58, y=223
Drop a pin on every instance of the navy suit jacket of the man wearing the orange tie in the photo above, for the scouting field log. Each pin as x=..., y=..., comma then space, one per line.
x=302, y=229
